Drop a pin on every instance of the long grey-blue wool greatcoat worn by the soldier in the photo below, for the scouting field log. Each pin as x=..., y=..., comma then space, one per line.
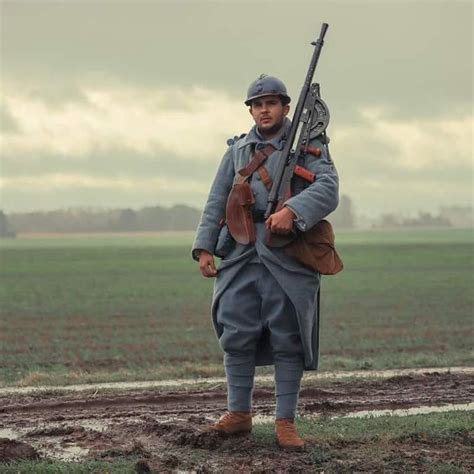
x=310, y=203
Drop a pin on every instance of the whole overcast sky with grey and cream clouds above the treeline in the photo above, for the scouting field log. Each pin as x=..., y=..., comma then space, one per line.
x=130, y=103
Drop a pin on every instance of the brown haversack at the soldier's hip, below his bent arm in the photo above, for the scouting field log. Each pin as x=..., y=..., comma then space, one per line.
x=316, y=249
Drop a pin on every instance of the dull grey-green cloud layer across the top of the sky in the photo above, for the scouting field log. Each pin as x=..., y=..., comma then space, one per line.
x=425, y=70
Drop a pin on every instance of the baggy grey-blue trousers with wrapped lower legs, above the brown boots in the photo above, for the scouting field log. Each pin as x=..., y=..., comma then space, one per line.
x=253, y=304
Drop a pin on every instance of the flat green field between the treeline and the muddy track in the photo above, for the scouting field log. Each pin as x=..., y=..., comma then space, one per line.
x=103, y=308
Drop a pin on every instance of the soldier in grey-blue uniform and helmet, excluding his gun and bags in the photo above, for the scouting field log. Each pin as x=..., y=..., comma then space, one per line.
x=264, y=305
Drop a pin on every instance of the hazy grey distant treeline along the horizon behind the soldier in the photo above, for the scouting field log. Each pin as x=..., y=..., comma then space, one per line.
x=182, y=217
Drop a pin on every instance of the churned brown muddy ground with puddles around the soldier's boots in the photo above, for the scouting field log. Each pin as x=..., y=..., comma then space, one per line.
x=164, y=430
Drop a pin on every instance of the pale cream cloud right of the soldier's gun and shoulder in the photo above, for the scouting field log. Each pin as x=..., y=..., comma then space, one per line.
x=392, y=164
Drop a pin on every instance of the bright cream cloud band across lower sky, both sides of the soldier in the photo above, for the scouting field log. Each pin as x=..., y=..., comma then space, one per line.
x=121, y=145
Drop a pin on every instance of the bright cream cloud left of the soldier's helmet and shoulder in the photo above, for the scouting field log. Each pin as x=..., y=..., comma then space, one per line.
x=188, y=123
